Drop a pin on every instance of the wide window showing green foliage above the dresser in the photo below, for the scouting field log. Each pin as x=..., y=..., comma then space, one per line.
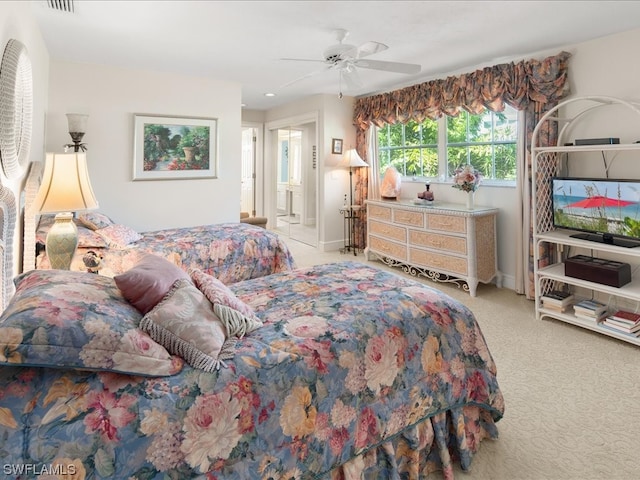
x=486, y=141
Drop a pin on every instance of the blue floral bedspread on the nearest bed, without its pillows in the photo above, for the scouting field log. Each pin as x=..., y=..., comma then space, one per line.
x=354, y=370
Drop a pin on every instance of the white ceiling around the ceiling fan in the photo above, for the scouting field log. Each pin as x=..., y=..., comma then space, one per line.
x=245, y=41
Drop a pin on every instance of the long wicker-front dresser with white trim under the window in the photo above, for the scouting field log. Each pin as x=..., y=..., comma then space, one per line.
x=443, y=242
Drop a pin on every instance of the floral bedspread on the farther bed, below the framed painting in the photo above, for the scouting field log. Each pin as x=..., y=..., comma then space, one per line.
x=229, y=251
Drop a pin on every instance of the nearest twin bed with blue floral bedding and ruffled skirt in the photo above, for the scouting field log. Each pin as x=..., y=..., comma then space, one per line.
x=337, y=371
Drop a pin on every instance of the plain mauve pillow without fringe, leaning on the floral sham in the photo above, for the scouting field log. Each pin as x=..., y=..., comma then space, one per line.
x=149, y=281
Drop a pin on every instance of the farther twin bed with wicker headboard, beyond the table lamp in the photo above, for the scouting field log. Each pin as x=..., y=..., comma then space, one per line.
x=231, y=251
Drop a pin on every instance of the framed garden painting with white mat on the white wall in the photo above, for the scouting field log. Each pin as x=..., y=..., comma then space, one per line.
x=174, y=148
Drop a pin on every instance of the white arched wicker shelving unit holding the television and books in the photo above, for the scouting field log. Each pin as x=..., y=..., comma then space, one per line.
x=546, y=163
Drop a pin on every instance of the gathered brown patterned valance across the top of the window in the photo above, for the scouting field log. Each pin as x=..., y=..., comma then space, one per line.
x=516, y=84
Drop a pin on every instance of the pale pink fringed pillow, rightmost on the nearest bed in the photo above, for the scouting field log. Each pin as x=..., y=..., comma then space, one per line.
x=225, y=303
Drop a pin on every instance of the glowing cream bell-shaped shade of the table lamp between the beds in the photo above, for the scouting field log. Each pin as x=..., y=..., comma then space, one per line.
x=65, y=185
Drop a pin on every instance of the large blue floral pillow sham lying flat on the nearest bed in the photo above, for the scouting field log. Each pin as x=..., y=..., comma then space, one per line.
x=77, y=320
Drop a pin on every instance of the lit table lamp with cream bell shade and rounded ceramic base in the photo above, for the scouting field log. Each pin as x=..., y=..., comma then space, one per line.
x=65, y=189
